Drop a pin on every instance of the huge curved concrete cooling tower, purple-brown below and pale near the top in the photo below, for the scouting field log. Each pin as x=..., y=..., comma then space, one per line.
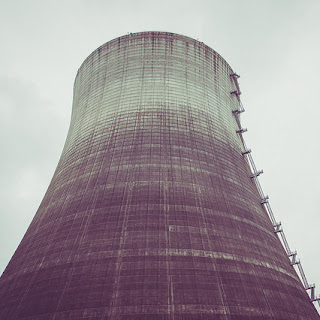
x=152, y=212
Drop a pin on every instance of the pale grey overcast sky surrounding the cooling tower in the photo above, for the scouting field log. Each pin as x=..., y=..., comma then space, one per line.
x=274, y=46
